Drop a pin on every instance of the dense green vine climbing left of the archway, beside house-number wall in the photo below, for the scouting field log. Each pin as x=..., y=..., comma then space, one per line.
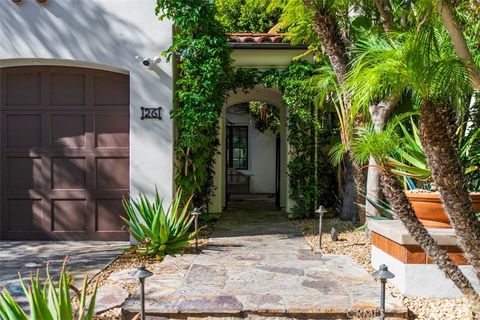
x=204, y=78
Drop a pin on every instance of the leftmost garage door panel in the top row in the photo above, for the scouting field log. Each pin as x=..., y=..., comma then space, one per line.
x=23, y=89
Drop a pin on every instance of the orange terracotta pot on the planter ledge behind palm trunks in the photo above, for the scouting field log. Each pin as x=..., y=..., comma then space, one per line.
x=428, y=208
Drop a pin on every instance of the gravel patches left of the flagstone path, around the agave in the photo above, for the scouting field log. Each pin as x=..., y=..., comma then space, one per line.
x=128, y=260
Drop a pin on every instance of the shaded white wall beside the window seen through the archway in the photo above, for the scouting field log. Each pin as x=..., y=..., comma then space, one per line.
x=261, y=158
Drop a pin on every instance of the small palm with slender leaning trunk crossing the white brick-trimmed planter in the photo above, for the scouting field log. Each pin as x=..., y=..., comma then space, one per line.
x=382, y=145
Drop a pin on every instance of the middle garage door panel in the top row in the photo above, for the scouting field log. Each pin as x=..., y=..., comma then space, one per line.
x=67, y=89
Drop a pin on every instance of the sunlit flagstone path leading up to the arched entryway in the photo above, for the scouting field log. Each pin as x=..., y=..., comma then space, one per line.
x=257, y=264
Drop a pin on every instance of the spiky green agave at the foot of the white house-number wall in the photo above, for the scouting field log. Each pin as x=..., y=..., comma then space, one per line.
x=158, y=231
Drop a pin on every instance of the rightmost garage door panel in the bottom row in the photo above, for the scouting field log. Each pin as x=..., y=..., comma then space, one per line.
x=107, y=212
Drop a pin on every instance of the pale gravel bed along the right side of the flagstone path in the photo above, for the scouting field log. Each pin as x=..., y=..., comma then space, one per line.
x=355, y=244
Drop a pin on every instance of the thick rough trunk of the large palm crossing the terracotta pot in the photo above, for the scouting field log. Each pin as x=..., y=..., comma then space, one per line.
x=437, y=132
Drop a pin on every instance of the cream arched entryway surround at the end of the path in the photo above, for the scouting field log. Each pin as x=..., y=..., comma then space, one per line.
x=271, y=96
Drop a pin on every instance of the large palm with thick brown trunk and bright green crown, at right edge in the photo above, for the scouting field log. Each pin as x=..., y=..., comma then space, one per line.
x=425, y=65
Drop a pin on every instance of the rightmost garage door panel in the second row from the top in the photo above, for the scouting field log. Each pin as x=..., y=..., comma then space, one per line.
x=111, y=130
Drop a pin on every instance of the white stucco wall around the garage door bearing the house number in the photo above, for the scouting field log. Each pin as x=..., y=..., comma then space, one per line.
x=113, y=33
